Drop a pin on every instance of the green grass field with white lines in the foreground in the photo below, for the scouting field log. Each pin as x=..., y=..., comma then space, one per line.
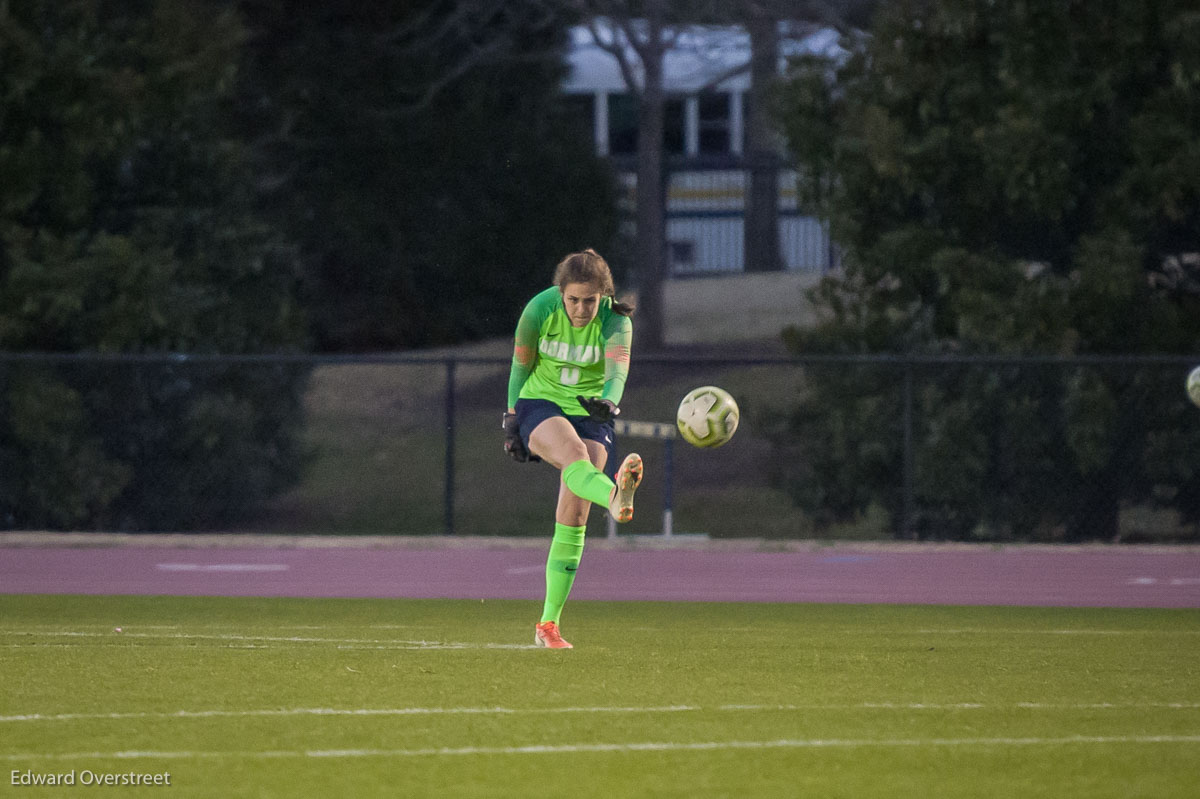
x=238, y=698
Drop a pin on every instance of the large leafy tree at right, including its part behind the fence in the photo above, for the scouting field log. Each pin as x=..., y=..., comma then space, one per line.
x=1005, y=179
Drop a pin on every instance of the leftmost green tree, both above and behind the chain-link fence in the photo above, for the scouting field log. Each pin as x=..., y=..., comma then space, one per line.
x=128, y=225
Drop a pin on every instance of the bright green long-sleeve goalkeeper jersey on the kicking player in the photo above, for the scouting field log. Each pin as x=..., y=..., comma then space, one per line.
x=555, y=361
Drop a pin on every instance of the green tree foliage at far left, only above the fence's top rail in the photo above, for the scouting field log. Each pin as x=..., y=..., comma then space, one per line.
x=127, y=219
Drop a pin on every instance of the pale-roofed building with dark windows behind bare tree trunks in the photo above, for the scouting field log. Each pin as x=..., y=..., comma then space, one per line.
x=707, y=81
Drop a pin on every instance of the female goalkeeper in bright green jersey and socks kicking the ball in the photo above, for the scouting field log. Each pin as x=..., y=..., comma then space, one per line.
x=569, y=365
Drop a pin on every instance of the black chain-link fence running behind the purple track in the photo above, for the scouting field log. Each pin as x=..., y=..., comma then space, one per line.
x=830, y=447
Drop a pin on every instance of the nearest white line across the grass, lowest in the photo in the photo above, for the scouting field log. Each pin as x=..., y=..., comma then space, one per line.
x=639, y=747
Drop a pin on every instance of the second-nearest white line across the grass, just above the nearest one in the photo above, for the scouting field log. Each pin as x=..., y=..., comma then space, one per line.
x=617, y=710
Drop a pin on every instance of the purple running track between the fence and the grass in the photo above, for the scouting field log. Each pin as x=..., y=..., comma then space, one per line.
x=921, y=575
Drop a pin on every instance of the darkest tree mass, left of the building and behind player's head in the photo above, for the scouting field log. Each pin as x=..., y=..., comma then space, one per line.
x=425, y=211
